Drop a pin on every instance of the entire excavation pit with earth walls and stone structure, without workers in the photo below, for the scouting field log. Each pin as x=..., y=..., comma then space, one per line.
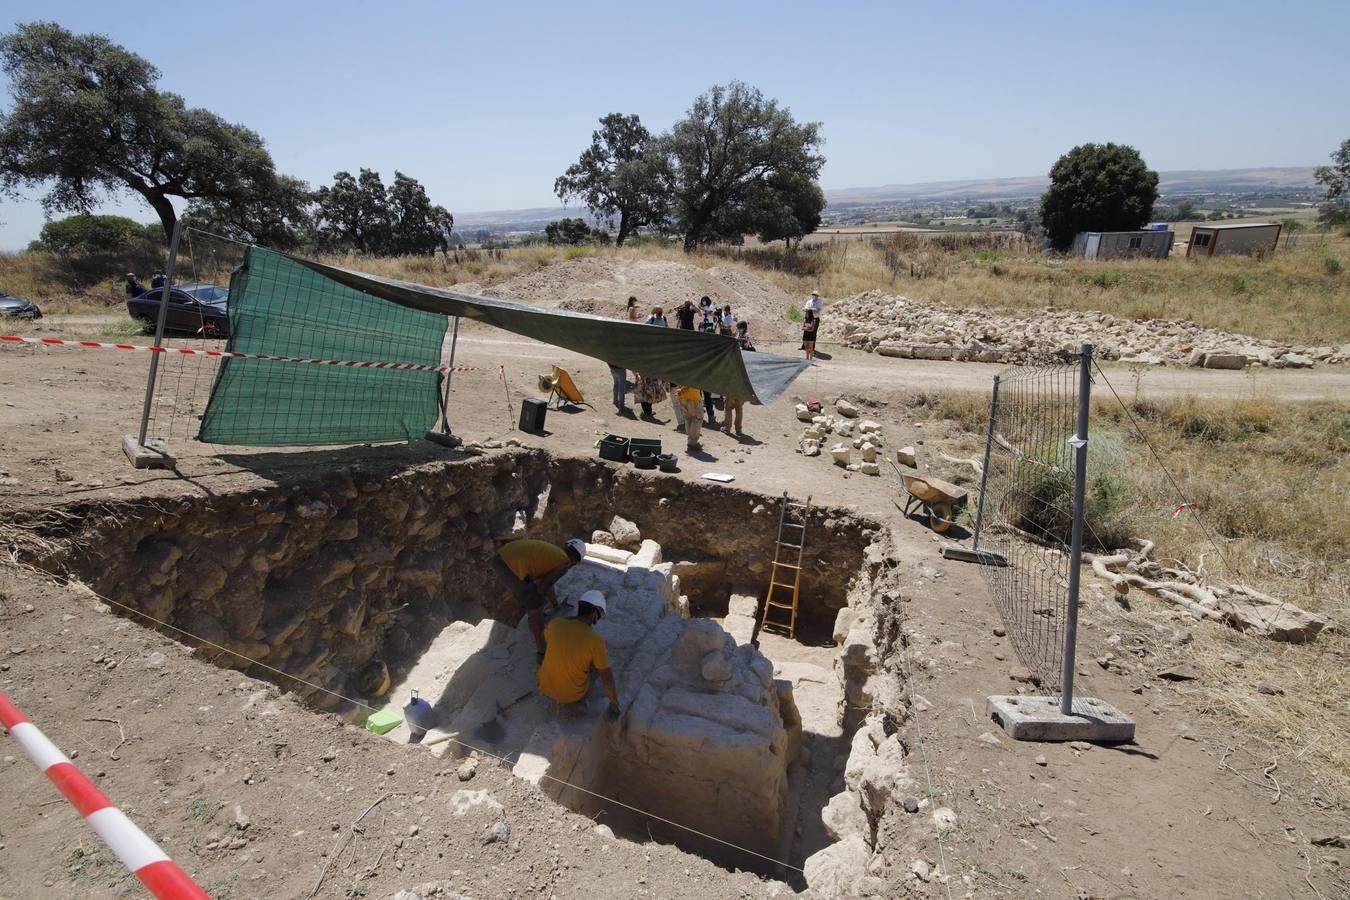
x=365, y=570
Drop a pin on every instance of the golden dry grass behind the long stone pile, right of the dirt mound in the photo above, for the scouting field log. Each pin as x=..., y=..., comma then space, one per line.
x=1299, y=295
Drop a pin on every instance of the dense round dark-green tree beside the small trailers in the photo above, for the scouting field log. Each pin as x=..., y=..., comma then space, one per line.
x=1098, y=188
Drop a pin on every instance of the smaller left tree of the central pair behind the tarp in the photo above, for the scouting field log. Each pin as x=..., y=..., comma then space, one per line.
x=618, y=177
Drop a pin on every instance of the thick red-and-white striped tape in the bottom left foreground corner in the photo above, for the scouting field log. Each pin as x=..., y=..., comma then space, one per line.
x=130, y=844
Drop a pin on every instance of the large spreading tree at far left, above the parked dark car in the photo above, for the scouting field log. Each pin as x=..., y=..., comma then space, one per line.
x=87, y=121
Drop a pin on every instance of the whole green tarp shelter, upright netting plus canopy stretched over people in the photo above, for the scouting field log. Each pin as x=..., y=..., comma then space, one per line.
x=287, y=307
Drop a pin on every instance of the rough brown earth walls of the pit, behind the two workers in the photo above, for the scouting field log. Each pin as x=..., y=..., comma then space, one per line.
x=323, y=577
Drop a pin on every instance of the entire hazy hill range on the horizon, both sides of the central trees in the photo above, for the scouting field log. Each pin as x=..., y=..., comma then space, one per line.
x=1170, y=183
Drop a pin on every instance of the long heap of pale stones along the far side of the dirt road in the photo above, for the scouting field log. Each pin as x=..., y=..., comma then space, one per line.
x=894, y=326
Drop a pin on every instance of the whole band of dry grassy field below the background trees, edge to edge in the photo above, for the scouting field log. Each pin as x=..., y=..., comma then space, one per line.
x=1301, y=295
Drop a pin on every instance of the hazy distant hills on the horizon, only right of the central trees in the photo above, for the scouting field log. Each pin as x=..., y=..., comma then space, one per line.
x=1183, y=181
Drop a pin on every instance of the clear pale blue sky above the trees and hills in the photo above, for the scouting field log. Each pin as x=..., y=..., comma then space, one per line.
x=487, y=103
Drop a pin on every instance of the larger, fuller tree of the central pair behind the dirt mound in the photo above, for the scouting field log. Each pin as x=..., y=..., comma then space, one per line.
x=722, y=157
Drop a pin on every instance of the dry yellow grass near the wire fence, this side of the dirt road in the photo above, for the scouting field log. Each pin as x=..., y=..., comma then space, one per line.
x=1272, y=481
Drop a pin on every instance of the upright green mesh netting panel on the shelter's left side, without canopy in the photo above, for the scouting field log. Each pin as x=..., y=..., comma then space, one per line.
x=281, y=308
